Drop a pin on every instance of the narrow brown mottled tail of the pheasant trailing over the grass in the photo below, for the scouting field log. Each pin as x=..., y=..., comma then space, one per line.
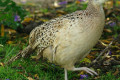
x=27, y=51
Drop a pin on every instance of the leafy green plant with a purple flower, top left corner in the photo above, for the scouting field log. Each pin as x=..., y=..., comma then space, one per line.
x=10, y=14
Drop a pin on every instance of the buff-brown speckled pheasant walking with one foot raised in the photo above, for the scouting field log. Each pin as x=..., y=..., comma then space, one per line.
x=69, y=38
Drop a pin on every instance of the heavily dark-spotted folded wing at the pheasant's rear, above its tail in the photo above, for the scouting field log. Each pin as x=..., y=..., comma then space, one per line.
x=44, y=35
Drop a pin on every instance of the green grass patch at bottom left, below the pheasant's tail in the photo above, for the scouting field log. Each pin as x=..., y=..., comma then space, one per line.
x=27, y=68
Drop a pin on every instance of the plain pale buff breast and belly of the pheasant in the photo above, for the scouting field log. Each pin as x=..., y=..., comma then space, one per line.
x=74, y=42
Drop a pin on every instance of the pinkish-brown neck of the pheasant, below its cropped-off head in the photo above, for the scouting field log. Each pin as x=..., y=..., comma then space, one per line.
x=92, y=8
